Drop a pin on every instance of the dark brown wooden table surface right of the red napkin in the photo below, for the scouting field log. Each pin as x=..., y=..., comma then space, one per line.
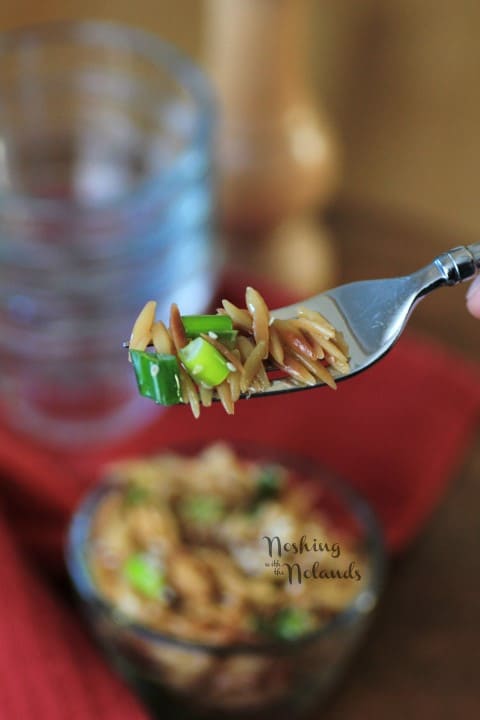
x=422, y=656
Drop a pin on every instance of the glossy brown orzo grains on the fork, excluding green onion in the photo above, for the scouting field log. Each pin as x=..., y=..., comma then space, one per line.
x=306, y=348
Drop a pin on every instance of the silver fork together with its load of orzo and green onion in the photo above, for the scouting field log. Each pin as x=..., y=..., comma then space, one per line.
x=253, y=351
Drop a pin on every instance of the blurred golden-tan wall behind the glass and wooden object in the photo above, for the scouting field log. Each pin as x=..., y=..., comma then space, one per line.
x=399, y=80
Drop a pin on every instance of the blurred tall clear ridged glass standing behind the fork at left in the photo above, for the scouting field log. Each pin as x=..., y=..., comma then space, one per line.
x=105, y=203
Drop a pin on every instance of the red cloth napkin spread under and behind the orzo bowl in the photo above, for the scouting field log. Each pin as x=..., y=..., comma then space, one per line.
x=397, y=433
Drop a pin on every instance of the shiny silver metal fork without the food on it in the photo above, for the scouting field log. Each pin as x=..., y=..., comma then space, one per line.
x=372, y=314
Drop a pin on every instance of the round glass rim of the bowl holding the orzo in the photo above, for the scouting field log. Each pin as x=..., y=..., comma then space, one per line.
x=357, y=506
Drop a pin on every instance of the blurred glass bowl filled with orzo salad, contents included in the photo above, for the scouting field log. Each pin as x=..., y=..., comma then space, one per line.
x=226, y=581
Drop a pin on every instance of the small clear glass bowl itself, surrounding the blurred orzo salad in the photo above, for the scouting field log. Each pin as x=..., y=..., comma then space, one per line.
x=281, y=679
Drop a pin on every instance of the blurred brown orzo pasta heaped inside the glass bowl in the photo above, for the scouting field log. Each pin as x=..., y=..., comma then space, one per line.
x=203, y=522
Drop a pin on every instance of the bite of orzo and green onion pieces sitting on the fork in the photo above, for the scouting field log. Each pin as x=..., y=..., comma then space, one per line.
x=228, y=355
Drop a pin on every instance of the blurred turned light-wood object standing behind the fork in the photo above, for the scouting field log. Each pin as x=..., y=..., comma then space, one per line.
x=277, y=156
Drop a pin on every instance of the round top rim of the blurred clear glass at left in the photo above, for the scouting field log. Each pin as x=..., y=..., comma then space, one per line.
x=144, y=44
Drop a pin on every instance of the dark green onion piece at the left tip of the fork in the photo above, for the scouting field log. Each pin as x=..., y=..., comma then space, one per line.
x=157, y=376
